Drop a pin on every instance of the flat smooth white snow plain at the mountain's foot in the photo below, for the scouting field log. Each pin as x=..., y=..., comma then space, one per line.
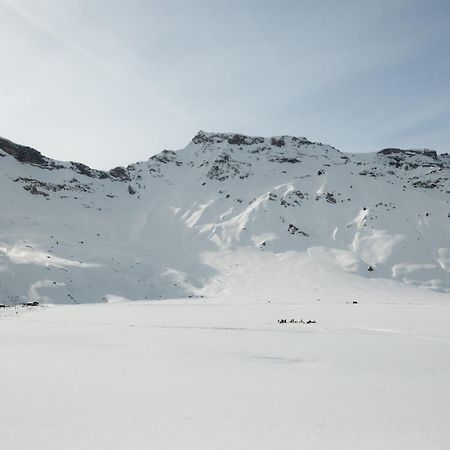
x=224, y=374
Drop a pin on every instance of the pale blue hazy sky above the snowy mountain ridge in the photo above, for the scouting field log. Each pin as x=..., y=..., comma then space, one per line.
x=109, y=82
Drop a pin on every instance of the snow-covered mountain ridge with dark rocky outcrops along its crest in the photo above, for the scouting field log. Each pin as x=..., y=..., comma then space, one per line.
x=226, y=212
